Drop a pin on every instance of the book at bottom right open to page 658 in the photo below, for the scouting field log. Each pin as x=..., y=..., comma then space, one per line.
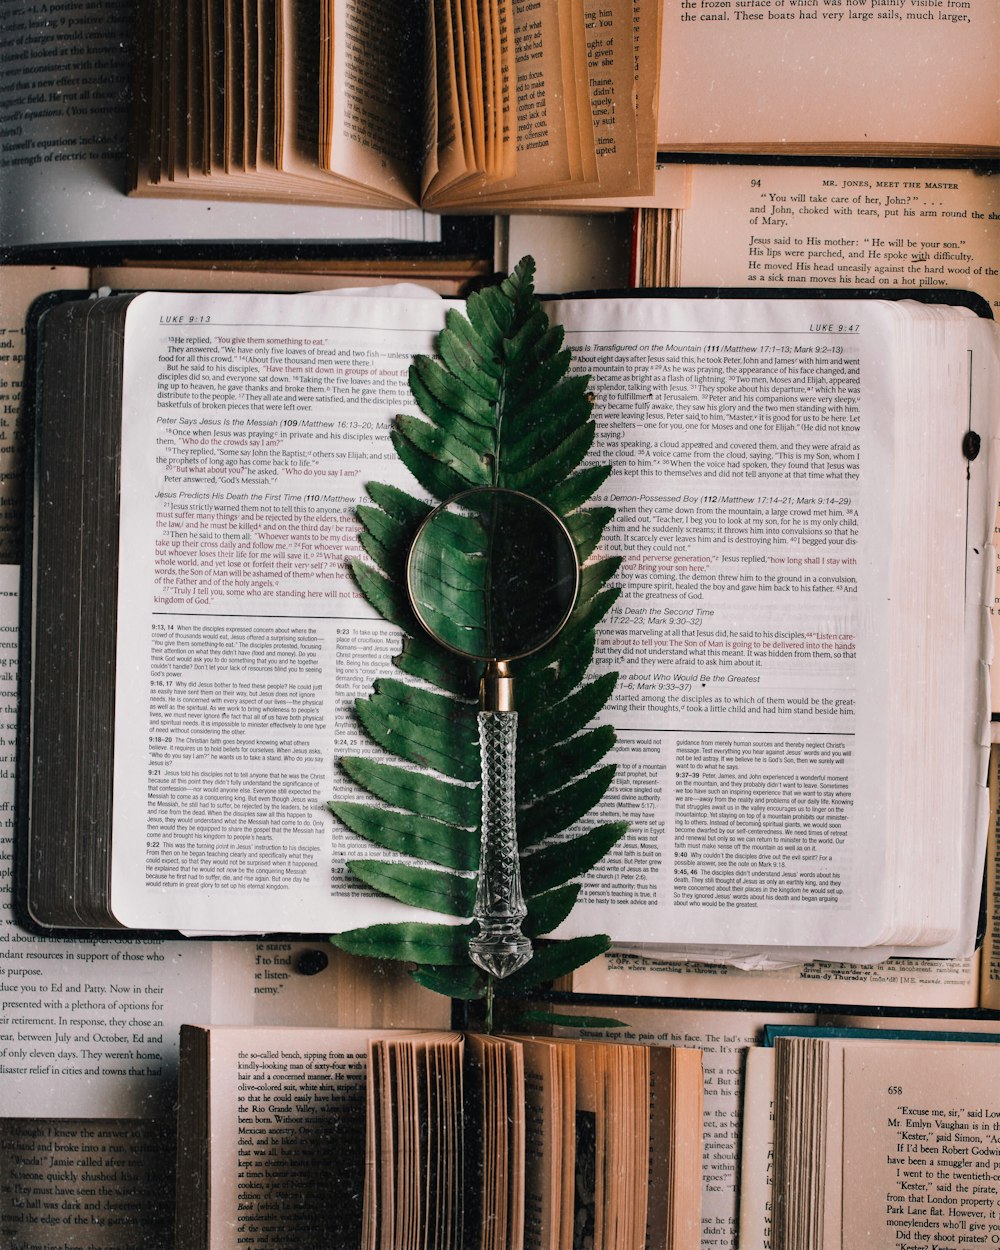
x=857, y=1139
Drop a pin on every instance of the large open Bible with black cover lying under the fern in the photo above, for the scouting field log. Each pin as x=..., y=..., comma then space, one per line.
x=801, y=639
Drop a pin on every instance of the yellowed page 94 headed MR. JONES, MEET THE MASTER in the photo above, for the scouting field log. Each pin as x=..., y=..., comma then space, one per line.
x=814, y=228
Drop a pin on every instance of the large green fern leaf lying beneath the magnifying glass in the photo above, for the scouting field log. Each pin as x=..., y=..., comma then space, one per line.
x=498, y=407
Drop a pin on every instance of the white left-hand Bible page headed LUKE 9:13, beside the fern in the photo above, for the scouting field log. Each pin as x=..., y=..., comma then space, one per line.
x=251, y=428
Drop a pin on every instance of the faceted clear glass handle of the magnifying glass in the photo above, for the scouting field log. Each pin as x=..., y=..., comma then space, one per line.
x=499, y=948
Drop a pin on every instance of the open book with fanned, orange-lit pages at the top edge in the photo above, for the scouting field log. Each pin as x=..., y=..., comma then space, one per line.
x=374, y=104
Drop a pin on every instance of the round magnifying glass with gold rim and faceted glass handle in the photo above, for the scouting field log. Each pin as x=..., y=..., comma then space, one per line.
x=493, y=576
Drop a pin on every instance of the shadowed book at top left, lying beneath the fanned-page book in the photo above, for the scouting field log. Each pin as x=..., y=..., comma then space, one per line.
x=64, y=114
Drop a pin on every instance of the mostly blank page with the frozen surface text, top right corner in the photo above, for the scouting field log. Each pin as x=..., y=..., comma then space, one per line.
x=871, y=76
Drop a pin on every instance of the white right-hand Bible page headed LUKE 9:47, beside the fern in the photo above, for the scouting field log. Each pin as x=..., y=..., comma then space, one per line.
x=753, y=443
